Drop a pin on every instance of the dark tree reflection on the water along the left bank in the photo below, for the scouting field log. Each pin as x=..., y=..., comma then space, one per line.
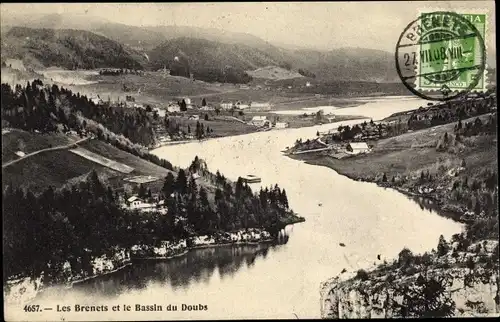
x=196, y=266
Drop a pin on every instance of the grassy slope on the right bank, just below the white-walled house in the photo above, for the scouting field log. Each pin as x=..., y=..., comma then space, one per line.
x=410, y=153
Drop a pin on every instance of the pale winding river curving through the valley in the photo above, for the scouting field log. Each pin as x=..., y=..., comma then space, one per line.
x=269, y=281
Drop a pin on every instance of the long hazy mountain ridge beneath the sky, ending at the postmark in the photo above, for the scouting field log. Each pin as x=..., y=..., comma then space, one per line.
x=210, y=48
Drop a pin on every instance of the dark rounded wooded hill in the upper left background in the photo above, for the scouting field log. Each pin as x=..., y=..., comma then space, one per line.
x=66, y=48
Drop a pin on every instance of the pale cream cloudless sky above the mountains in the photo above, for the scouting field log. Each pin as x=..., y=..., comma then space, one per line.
x=319, y=25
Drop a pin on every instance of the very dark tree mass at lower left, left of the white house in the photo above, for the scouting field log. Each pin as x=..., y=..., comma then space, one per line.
x=69, y=225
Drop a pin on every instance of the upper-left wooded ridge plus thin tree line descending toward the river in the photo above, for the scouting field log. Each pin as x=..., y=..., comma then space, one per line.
x=48, y=109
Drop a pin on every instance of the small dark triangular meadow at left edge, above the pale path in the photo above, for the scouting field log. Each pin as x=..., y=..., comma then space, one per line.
x=19, y=140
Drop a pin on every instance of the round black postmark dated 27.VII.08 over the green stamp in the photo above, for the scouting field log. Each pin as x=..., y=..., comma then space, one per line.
x=441, y=56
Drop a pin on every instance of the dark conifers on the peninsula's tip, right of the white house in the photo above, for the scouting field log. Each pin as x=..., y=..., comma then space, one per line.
x=233, y=206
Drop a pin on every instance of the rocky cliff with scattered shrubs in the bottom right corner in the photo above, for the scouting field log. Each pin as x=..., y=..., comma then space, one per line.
x=458, y=283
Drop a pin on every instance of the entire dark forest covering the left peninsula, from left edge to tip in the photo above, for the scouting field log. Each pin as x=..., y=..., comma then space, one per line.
x=85, y=221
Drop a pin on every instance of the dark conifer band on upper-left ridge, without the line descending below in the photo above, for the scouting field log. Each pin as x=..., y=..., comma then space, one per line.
x=35, y=107
